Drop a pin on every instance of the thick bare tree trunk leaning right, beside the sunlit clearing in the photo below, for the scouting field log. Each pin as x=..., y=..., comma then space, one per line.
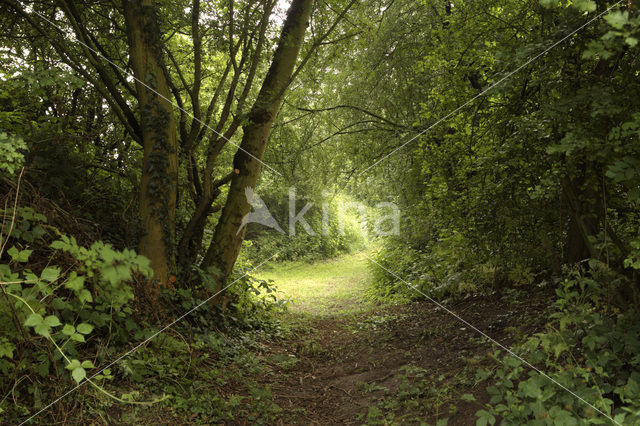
x=228, y=236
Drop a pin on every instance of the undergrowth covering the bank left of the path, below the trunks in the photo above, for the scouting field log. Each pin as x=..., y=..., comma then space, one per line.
x=69, y=311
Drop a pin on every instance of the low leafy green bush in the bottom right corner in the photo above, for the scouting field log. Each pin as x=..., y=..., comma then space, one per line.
x=589, y=347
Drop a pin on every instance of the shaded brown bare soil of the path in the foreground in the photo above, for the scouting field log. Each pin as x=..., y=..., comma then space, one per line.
x=332, y=370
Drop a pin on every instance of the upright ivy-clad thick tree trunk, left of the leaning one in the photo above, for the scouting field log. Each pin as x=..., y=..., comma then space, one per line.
x=158, y=186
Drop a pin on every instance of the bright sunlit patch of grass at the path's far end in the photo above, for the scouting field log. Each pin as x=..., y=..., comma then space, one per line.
x=331, y=287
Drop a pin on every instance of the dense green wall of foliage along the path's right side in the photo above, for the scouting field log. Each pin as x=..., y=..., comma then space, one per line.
x=520, y=169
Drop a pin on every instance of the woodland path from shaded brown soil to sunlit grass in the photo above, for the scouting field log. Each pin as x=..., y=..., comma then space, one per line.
x=350, y=361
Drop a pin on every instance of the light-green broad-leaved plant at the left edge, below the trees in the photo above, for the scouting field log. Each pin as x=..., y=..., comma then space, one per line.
x=62, y=307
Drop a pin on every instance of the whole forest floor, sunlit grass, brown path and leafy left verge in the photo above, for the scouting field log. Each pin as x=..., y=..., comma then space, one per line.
x=334, y=357
